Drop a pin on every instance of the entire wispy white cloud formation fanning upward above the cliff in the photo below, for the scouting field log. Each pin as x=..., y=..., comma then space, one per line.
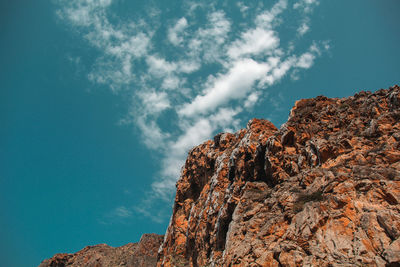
x=203, y=79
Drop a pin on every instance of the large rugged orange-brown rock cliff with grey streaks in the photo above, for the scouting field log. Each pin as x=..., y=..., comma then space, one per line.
x=323, y=190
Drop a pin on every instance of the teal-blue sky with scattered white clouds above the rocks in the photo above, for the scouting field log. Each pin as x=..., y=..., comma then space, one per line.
x=102, y=99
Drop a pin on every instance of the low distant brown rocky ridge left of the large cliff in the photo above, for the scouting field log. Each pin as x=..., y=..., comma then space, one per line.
x=142, y=254
